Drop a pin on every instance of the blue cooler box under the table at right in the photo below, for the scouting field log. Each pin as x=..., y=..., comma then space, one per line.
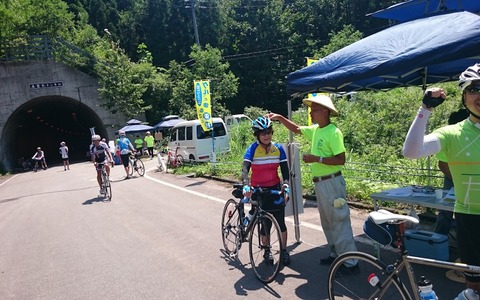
x=427, y=244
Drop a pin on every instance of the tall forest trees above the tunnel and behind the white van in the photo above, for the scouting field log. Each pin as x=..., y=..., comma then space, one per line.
x=251, y=45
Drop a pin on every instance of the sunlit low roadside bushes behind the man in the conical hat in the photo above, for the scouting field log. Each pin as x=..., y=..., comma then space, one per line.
x=374, y=125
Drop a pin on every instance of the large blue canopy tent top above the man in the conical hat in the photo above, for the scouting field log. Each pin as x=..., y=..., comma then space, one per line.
x=415, y=53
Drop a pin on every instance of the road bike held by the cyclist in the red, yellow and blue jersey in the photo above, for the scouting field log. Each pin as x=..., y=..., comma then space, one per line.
x=262, y=233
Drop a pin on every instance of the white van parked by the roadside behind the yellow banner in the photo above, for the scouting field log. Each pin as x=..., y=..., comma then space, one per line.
x=194, y=144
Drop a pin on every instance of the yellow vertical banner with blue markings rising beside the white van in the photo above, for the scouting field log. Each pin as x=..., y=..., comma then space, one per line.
x=202, y=102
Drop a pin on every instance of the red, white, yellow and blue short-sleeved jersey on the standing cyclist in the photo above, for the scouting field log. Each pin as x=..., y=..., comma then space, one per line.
x=265, y=165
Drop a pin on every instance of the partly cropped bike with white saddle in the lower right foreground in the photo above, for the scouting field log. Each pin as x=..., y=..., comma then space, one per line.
x=374, y=279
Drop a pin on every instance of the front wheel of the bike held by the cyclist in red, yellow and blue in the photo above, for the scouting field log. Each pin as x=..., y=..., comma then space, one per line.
x=265, y=248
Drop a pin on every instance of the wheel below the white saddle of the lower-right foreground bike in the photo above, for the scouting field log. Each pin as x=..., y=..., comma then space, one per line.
x=360, y=283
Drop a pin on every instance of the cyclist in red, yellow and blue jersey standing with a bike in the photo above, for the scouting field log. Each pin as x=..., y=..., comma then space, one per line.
x=264, y=158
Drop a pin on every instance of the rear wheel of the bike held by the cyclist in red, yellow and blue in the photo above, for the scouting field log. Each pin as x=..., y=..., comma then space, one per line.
x=231, y=231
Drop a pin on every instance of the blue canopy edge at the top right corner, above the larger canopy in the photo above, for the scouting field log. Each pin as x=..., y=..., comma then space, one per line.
x=415, y=9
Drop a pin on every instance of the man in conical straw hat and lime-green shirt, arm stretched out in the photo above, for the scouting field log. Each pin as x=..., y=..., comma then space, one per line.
x=326, y=158
